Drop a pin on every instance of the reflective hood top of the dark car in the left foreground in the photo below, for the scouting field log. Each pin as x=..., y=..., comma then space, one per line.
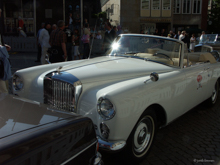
x=18, y=115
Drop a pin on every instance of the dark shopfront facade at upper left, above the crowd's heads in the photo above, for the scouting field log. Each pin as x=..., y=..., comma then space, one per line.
x=34, y=12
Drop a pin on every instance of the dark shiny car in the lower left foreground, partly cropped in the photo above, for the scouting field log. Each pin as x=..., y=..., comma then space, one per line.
x=31, y=133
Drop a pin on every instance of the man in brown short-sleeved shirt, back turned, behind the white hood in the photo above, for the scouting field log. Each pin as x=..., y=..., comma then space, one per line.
x=58, y=43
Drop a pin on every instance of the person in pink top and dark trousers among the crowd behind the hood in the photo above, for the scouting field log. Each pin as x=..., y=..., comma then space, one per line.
x=86, y=40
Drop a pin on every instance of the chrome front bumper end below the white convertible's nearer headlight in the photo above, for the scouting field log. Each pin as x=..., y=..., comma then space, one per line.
x=111, y=146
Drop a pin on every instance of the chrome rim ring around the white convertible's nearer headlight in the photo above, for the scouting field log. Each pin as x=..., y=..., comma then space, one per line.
x=100, y=100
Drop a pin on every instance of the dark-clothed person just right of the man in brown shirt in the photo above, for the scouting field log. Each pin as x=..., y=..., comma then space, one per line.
x=69, y=43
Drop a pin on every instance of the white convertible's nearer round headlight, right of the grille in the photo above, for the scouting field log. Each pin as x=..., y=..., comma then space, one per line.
x=106, y=109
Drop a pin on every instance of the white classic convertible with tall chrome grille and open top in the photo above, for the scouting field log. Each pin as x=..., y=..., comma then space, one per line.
x=144, y=83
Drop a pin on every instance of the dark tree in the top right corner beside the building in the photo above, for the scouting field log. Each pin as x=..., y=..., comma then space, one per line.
x=214, y=17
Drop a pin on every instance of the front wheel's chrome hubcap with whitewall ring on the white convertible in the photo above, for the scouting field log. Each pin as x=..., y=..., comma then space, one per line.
x=143, y=134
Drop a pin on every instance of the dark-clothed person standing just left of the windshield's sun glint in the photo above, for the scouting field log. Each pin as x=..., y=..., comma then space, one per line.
x=110, y=35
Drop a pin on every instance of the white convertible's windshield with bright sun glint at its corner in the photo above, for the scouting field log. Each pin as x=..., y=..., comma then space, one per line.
x=156, y=49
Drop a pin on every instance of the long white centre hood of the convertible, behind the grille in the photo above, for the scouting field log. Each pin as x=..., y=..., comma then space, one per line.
x=109, y=68
